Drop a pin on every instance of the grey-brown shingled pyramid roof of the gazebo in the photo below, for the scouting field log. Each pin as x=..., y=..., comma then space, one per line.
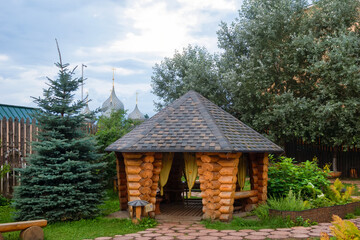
x=193, y=124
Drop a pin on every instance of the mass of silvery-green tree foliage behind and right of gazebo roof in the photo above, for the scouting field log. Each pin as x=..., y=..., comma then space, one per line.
x=285, y=69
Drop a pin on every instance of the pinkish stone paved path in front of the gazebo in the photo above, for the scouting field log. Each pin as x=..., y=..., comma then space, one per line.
x=176, y=230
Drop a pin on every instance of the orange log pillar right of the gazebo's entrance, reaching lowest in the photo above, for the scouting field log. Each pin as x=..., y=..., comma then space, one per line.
x=217, y=176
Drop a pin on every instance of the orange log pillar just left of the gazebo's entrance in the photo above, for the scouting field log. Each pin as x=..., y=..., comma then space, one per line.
x=142, y=172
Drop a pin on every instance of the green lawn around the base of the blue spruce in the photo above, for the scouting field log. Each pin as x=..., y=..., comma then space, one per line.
x=86, y=228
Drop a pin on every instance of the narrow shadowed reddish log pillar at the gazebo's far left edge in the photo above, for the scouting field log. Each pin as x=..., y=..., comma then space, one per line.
x=121, y=181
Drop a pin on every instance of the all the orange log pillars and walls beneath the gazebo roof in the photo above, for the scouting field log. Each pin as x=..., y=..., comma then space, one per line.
x=138, y=177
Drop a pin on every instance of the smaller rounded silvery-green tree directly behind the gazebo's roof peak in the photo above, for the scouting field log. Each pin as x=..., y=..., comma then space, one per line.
x=192, y=69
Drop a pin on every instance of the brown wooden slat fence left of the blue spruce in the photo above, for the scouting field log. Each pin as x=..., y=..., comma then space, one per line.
x=16, y=136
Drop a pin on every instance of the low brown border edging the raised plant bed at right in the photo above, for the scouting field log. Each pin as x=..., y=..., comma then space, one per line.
x=323, y=214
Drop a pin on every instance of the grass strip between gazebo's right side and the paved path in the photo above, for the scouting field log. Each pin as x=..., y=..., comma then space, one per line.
x=240, y=223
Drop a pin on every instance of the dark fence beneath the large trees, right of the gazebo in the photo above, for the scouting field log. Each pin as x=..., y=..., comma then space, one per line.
x=347, y=158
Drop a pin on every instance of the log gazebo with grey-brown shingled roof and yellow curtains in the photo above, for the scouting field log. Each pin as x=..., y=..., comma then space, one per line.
x=193, y=124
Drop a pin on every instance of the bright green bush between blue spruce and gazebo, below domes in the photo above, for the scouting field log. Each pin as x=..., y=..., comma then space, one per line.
x=111, y=129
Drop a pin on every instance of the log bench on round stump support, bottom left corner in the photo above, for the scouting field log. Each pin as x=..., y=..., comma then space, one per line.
x=30, y=230
